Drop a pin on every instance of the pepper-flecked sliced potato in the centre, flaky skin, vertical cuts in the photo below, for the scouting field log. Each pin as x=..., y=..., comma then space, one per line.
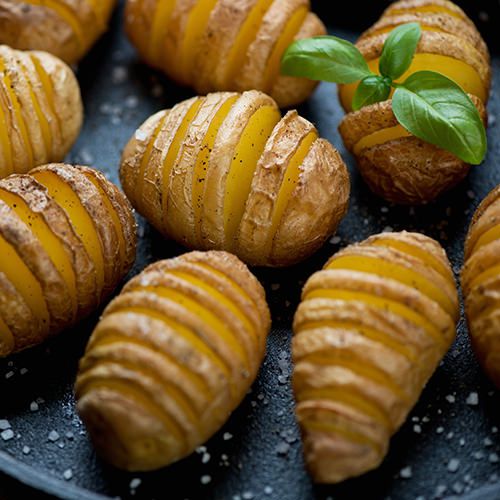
x=226, y=172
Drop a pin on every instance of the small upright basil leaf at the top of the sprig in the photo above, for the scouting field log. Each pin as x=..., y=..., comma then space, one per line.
x=399, y=50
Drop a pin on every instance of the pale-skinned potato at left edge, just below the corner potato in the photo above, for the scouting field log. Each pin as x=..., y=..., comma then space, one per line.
x=40, y=110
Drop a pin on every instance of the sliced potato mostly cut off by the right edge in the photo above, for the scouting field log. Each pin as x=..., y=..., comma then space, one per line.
x=482, y=305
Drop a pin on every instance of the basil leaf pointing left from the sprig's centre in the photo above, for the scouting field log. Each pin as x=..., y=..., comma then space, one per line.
x=325, y=58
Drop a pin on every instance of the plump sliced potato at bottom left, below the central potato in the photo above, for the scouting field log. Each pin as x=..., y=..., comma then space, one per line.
x=170, y=360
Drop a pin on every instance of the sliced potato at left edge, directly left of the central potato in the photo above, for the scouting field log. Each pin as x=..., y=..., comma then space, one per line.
x=67, y=238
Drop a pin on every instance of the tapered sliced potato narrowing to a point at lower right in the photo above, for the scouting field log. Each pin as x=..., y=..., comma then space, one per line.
x=367, y=338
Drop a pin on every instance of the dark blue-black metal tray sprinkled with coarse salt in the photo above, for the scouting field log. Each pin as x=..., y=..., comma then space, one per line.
x=449, y=446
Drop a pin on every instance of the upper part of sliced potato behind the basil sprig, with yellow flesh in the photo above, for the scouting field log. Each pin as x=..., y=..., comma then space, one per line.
x=450, y=45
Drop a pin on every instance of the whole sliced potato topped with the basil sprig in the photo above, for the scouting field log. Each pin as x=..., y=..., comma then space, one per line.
x=397, y=165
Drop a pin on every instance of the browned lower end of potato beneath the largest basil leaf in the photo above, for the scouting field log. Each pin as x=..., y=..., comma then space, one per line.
x=395, y=164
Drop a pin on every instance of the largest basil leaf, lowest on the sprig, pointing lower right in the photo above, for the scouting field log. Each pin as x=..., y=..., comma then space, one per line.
x=437, y=110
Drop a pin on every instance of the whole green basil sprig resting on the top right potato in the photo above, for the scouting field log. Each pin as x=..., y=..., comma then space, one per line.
x=427, y=104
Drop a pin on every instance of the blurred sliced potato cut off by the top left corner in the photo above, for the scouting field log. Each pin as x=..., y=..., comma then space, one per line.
x=68, y=30
